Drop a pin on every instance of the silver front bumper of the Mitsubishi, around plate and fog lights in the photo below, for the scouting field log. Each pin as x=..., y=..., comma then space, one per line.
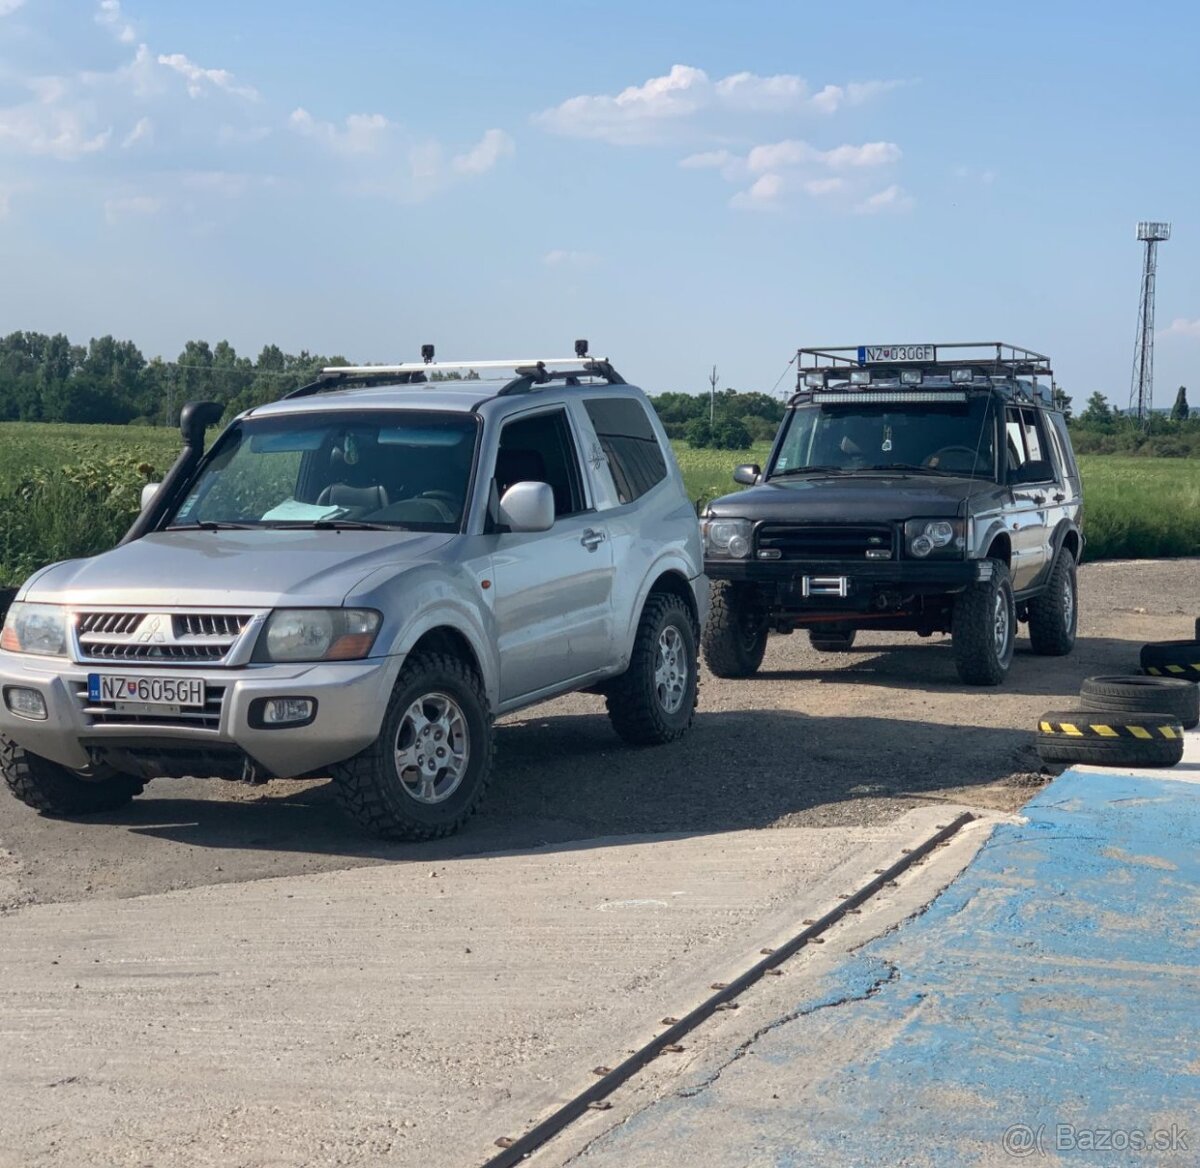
x=351, y=700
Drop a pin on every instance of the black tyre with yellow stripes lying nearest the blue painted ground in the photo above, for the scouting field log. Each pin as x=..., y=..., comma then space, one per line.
x=1145, y=740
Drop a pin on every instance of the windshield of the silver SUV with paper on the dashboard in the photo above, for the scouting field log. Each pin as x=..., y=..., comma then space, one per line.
x=407, y=470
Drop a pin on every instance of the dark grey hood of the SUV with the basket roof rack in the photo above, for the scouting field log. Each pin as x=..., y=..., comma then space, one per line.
x=853, y=499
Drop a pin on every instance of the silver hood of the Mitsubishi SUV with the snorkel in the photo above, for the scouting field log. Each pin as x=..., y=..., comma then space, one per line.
x=257, y=570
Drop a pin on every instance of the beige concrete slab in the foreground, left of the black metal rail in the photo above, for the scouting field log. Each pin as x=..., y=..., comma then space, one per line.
x=401, y=1016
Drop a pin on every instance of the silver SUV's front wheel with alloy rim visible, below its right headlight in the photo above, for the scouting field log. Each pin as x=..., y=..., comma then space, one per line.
x=427, y=772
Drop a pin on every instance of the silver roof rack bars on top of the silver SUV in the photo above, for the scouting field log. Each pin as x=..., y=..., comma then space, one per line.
x=529, y=373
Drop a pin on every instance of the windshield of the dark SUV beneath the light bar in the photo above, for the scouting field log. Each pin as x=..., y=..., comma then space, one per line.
x=916, y=438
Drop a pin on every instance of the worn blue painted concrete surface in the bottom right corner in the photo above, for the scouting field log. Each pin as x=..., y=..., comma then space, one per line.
x=1054, y=985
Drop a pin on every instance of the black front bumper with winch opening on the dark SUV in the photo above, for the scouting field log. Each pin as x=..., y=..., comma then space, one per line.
x=866, y=582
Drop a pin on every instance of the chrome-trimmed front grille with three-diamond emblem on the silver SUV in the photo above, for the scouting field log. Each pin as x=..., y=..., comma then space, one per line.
x=167, y=638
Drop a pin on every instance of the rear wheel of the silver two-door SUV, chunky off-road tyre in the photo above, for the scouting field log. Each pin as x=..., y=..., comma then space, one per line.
x=655, y=700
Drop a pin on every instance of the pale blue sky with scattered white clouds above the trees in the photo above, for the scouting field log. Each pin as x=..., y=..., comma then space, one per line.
x=685, y=184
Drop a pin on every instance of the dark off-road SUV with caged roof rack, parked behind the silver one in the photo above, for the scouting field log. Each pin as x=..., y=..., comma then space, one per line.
x=915, y=488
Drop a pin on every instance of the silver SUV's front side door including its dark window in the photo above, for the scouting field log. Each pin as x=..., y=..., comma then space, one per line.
x=554, y=590
